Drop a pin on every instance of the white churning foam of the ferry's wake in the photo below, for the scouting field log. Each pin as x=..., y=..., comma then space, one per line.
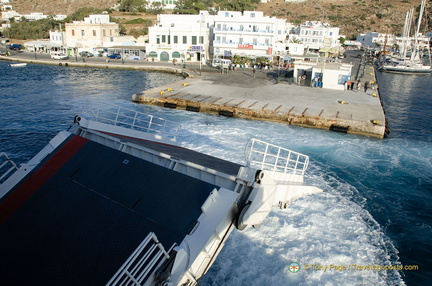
x=324, y=230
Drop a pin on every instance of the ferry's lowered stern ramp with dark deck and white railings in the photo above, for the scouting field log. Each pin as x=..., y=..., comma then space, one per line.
x=114, y=200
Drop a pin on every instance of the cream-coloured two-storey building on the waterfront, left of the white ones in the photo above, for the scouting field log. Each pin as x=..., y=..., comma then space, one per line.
x=94, y=31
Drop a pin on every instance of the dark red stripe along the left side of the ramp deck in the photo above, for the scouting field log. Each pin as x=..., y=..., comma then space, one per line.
x=12, y=203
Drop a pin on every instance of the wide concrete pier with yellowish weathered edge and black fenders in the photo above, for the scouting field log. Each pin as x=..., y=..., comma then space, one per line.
x=241, y=94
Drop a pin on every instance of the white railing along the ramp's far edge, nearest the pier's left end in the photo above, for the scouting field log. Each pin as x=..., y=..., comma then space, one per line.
x=128, y=118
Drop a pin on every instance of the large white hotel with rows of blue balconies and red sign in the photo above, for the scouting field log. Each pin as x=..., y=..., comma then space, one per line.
x=248, y=34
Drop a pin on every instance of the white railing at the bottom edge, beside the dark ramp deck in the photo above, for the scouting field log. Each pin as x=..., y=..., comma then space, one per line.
x=142, y=263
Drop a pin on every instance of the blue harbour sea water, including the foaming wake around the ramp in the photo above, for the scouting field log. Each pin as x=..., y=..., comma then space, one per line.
x=373, y=217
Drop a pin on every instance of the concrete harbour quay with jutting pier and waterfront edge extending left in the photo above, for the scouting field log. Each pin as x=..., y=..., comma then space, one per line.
x=259, y=95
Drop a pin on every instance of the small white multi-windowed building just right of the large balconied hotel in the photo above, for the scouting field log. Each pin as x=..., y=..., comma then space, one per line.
x=316, y=35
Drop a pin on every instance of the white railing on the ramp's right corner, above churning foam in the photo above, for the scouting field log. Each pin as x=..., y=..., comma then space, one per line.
x=266, y=156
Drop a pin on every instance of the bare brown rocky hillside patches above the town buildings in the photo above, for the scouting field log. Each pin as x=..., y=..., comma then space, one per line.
x=352, y=17
